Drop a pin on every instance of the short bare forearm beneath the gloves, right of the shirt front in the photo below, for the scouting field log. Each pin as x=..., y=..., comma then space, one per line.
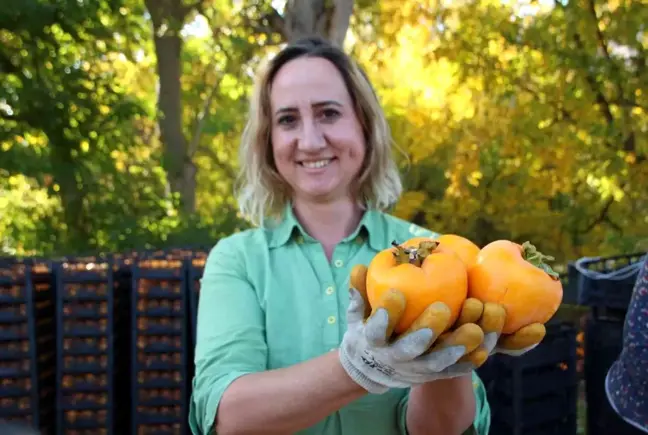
x=453, y=402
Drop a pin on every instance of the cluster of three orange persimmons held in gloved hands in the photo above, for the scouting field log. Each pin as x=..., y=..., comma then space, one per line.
x=453, y=270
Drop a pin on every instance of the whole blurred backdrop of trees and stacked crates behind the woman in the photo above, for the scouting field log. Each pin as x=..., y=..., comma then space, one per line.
x=119, y=129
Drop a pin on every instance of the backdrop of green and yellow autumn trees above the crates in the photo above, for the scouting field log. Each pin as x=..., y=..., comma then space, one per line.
x=120, y=119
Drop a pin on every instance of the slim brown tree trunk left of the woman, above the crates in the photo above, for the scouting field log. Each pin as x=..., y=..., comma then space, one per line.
x=168, y=17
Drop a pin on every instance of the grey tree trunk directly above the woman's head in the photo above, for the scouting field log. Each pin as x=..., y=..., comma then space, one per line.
x=326, y=18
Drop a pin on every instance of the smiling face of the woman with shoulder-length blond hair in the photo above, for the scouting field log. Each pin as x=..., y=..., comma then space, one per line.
x=317, y=139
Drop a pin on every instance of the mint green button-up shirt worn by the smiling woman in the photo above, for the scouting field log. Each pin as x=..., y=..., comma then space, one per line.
x=270, y=298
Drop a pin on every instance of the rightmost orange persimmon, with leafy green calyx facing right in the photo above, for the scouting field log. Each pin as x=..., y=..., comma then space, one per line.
x=517, y=277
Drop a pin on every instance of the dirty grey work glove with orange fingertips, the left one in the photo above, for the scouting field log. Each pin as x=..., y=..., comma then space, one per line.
x=377, y=361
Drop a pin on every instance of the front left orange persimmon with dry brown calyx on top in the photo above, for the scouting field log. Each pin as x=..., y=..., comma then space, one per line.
x=424, y=272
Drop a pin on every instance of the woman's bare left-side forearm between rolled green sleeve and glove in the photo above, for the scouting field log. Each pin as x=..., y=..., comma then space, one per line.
x=286, y=400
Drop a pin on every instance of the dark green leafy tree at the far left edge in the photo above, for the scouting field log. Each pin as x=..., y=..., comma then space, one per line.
x=62, y=111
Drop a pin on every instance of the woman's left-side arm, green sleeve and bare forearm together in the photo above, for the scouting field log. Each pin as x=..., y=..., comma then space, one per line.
x=233, y=393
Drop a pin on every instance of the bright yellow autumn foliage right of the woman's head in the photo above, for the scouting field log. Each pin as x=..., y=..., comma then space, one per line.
x=517, y=122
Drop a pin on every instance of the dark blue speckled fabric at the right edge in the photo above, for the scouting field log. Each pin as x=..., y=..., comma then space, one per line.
x=627, y=380
